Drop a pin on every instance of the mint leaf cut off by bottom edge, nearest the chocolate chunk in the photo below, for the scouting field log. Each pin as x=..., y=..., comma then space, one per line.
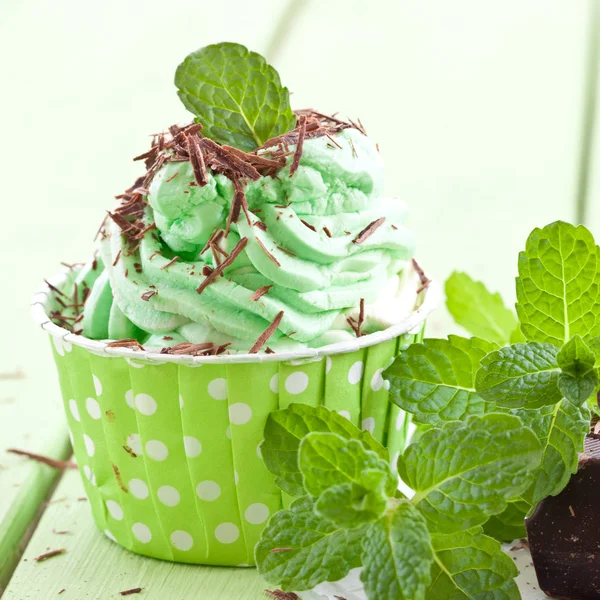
x=471, y=565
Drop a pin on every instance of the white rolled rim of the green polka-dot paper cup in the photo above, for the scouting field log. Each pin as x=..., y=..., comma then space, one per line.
x=411, y=324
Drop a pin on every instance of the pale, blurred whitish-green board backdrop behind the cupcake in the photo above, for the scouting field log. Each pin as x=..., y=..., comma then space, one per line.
x=482, y=108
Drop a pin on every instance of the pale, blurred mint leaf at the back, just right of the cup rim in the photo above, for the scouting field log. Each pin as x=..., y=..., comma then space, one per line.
x=479, y=311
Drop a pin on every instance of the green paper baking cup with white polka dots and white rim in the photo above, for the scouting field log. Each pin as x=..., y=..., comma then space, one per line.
x=168, y=446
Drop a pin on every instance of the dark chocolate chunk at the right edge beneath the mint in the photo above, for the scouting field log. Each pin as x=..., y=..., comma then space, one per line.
x=564, y=533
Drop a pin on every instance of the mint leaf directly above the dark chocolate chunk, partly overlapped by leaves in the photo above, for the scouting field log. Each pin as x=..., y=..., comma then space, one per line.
x=561, y=430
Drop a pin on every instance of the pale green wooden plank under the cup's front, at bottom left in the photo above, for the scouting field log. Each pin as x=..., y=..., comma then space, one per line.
x=95, y=567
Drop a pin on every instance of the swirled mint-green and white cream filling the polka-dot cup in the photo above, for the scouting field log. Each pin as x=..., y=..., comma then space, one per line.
x=302, y=242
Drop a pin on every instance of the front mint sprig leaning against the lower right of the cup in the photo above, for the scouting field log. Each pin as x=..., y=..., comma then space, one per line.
x=462, y=474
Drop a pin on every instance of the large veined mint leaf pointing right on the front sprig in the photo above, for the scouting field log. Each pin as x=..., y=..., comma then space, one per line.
x=467, y=471
